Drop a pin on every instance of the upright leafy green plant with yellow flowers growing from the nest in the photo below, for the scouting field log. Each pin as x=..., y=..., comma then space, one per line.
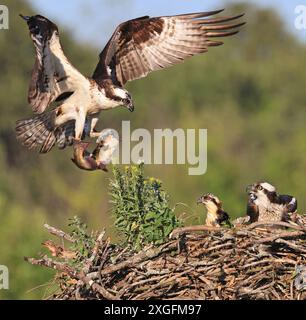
x=141, y=208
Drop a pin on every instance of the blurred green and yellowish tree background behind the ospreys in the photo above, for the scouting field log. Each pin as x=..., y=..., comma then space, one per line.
x=250, y=95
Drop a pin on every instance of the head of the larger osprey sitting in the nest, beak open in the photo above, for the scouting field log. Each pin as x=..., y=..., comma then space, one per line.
x=262, y=192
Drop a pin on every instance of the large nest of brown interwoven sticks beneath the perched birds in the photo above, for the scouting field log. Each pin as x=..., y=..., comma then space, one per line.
x=258, y=261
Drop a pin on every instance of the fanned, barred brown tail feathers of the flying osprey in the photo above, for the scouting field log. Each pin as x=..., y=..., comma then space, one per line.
x=38, y=131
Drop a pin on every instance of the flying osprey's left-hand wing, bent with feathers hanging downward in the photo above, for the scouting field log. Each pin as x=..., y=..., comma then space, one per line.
x=53, y=77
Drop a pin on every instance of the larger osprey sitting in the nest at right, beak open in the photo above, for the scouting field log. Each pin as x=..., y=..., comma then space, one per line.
x=265, y=204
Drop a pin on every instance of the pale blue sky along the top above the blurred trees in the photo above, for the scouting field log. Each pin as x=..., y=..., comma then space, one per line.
x=94, y=20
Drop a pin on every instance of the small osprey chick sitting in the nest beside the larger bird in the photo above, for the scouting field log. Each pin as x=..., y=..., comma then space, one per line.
x=215, y=213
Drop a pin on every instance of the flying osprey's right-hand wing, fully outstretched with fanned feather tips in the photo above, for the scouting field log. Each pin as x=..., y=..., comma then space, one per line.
x=146, y=44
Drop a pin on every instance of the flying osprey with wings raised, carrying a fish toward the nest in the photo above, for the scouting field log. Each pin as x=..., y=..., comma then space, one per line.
x=136, y=48
